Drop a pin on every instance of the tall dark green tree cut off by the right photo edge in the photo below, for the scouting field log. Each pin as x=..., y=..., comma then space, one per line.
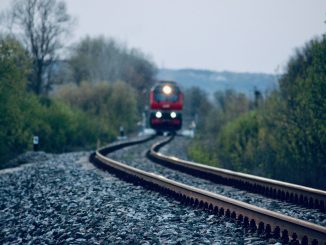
x=303, y=89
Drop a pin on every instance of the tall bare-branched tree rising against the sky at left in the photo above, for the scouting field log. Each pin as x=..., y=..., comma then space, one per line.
x=41, y=25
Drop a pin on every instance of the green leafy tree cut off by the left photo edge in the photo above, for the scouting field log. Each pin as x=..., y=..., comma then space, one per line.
x=14, y=65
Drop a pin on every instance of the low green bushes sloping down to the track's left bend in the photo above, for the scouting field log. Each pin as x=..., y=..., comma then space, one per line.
x=62, y=128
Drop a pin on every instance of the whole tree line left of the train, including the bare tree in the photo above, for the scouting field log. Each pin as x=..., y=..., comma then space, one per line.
x=71, y=101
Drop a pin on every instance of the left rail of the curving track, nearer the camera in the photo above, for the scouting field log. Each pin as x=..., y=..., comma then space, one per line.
x=252, y=217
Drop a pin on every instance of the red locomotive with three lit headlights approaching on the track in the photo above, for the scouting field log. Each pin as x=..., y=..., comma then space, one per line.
x=166, y=104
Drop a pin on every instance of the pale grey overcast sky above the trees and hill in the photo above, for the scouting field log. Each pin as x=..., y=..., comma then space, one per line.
x=234, y=35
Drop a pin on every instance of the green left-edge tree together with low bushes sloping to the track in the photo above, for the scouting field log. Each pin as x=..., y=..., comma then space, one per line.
x=59, y=126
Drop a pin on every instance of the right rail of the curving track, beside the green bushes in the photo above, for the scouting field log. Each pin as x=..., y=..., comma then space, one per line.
x=306, y=196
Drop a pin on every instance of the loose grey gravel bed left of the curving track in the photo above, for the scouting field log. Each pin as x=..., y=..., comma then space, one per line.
x=61, y=199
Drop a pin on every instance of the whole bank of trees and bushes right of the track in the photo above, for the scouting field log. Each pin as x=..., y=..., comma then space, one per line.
x=281, y=135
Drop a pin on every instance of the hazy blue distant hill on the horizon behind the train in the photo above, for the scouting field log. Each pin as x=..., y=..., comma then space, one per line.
x=212, y=81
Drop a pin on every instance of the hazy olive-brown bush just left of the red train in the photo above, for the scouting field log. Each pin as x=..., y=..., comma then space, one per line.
x=113, y=104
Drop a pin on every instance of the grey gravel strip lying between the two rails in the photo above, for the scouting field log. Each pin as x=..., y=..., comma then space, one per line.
x=135, y=156
